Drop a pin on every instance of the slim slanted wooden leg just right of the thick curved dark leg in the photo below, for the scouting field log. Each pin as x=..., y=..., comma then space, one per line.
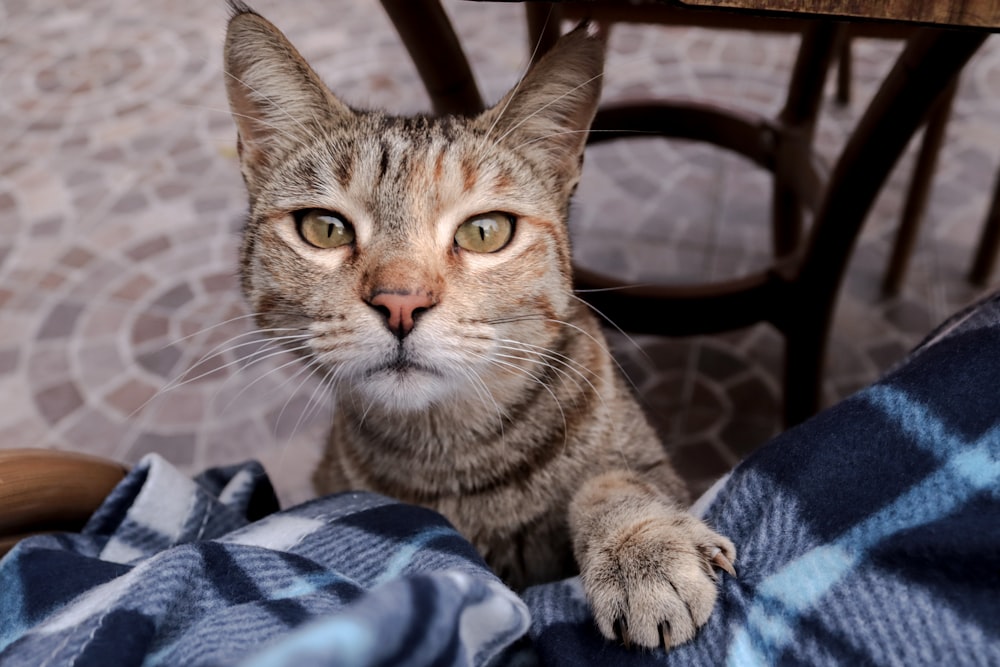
x=920, y=185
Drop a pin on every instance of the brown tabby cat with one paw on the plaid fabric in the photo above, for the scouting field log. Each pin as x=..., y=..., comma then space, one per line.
x=425, y=264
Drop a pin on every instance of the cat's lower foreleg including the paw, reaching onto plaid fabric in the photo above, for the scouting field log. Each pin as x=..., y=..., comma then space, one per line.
x=648, y=566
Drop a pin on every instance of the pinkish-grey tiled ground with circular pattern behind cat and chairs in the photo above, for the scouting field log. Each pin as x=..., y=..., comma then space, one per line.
x=121, y=327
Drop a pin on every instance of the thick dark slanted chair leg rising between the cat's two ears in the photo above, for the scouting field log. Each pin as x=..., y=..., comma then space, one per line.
x=434, y=48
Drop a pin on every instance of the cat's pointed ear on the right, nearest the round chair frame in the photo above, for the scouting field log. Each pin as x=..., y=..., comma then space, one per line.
x=550, y=111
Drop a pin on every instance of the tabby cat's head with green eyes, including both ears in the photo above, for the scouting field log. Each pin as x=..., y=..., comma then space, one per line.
x=424, y=259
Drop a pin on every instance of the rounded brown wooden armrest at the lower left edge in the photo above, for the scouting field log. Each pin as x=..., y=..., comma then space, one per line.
x=45, y=490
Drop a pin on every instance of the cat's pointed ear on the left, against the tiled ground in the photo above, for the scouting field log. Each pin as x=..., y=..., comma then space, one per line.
x=276, y=99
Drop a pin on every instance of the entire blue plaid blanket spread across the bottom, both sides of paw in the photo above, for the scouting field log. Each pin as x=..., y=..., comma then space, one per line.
x=869, y=535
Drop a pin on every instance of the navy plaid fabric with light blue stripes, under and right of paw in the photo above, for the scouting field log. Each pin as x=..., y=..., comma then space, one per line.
x=868, y=536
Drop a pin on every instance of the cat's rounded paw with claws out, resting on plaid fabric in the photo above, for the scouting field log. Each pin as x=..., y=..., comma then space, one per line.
x=653, y=582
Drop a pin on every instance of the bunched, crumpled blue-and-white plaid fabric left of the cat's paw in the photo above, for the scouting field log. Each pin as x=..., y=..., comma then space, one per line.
x=172, y=571
